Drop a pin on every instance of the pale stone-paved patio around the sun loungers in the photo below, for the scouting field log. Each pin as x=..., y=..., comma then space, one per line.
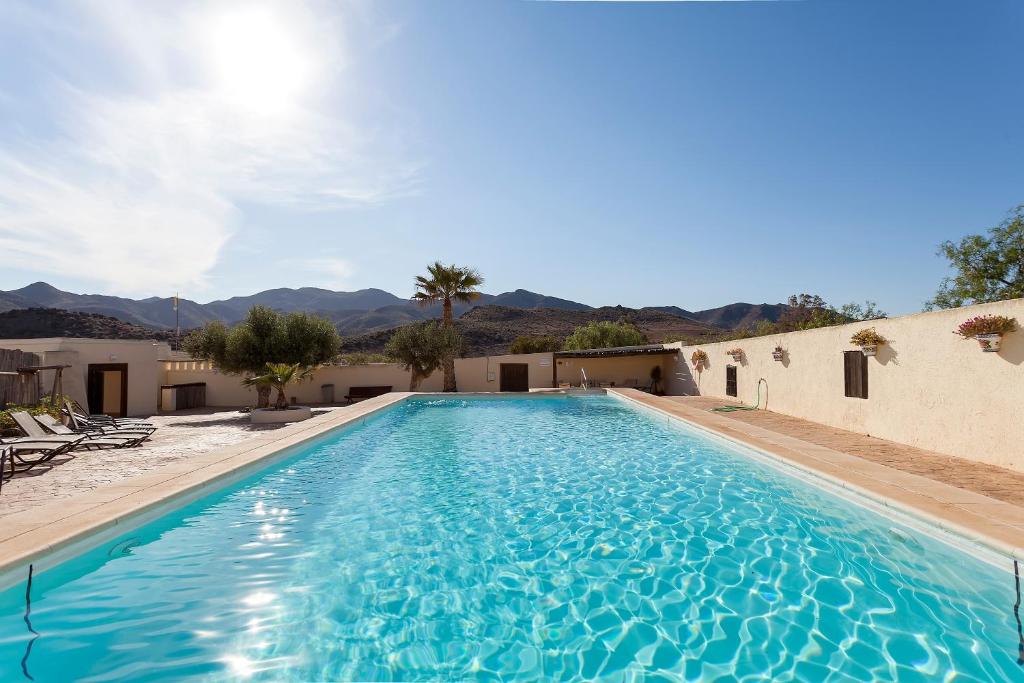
x=180, y=437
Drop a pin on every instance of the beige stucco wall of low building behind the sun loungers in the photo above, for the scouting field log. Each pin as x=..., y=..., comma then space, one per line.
x=142, y=358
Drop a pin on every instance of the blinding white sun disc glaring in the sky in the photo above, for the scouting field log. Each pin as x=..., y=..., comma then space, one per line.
x=260, y=65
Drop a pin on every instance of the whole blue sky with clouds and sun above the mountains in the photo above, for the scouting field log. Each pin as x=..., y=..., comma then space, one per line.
x=641, y=154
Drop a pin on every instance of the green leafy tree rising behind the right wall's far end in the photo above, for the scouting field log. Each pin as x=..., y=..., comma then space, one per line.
x=989, y=268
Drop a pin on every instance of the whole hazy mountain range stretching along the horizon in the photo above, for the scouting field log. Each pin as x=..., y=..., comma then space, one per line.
x=365, y=318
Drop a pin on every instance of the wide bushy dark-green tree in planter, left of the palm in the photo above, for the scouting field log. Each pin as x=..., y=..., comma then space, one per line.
x=266, y=337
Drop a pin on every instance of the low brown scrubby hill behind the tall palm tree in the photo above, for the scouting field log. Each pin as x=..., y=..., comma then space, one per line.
x=491, y=330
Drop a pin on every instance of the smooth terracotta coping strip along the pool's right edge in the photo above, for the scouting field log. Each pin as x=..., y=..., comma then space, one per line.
x=942, y=514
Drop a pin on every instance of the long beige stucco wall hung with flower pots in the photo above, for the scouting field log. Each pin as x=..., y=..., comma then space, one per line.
x=927, y=389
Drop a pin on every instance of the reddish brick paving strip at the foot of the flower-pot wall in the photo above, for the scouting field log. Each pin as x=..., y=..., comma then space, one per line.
x=989, y=481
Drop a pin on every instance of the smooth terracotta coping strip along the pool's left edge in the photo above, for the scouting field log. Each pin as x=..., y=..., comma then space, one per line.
x=66, y=528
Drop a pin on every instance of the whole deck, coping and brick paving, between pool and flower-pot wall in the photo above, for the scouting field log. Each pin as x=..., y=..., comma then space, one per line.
x=982, y=503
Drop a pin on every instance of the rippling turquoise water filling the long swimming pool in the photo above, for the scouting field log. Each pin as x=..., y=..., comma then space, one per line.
x=487, y=539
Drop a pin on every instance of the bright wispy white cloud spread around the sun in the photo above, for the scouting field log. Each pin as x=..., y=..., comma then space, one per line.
x=161, y=121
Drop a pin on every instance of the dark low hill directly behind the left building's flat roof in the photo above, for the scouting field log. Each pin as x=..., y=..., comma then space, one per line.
x=42, y=323
